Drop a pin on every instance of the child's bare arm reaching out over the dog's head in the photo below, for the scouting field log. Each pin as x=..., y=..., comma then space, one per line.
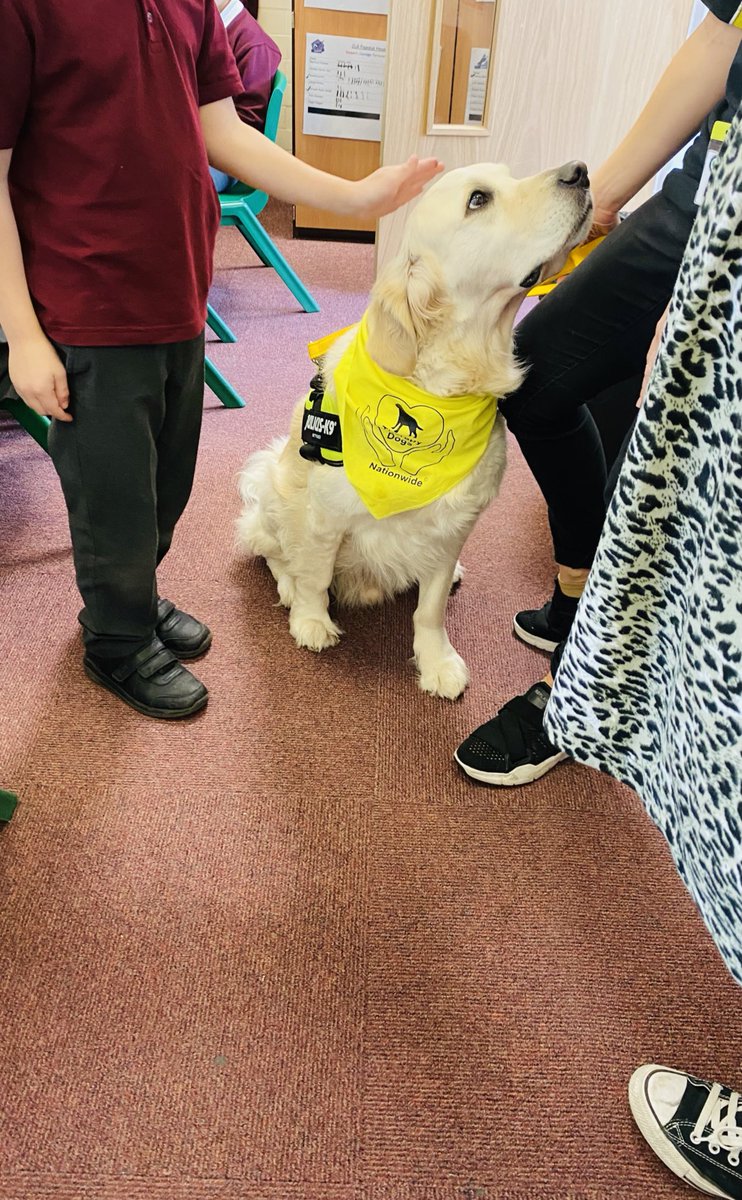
x=246, y=154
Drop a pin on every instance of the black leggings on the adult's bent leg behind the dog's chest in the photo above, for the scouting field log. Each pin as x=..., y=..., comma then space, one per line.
x=593, y=332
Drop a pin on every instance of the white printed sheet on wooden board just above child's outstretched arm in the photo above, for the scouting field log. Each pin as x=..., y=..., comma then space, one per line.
x=344, y=87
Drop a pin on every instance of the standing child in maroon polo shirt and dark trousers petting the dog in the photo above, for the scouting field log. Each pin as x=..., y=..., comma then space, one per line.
x=110, y=116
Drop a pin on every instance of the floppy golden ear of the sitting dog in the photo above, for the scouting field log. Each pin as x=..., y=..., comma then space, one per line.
x=408, y=299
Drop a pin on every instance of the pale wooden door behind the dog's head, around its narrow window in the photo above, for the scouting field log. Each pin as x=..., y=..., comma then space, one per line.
x=570, y=79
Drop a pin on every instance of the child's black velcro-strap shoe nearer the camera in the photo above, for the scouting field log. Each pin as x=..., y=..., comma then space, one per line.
x=152, y=681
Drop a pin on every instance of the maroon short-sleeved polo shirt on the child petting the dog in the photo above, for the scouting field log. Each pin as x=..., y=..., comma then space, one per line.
x=110, y=181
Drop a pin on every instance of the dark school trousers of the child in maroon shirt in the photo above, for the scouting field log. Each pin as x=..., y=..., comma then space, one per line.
x=127, y=465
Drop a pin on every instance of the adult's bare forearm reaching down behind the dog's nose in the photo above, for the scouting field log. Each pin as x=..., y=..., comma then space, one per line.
x=689, y=91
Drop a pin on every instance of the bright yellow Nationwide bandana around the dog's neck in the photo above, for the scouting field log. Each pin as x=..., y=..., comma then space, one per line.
x=403, y=448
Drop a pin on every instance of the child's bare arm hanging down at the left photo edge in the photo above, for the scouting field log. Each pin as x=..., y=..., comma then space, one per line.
x=37, y=373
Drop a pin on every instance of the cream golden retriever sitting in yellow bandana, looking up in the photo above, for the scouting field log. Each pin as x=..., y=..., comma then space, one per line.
x=441, y=322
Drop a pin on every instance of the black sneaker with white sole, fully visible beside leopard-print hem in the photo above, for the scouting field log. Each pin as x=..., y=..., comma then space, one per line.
x=512, y=748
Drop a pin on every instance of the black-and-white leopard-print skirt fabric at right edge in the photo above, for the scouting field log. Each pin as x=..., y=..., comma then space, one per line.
x=650, y=687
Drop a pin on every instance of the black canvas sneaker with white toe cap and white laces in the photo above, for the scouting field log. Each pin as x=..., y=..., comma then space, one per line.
x=695, y=1127
